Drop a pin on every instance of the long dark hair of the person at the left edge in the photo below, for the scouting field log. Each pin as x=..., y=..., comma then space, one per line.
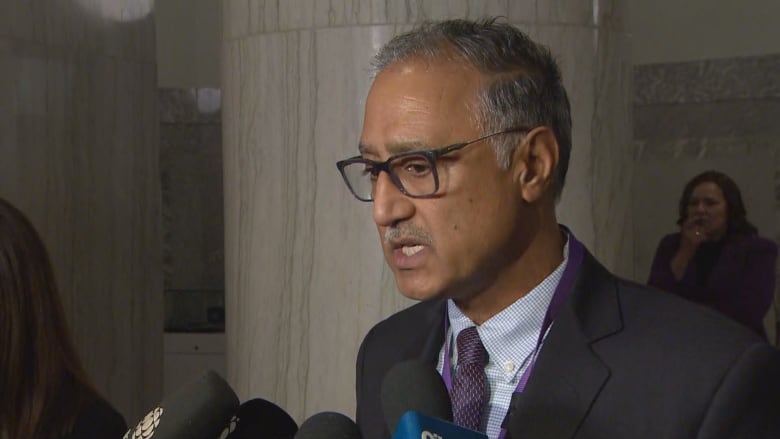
x=43, y=383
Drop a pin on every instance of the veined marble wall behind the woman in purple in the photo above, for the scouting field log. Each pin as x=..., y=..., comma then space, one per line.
x=690, y=117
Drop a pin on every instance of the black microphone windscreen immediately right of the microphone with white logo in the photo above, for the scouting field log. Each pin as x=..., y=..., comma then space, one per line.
x=258, y=418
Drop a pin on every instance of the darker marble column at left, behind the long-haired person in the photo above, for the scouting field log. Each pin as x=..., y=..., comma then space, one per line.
x=79, y=154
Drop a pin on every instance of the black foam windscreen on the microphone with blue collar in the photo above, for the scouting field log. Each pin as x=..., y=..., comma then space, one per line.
x=414, y=385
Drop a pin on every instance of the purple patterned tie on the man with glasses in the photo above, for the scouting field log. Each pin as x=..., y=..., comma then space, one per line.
x=469, y=392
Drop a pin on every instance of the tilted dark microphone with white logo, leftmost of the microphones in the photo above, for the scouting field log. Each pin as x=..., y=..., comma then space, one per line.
x=199, y=410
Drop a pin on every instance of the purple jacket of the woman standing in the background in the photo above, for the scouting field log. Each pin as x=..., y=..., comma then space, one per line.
x=741, y=284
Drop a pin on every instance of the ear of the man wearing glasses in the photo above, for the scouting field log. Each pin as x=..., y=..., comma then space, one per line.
x=534, y=162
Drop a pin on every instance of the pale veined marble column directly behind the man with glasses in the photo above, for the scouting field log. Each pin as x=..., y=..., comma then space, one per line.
x=305, y=278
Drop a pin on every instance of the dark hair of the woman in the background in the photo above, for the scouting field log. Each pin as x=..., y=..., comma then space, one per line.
x=735, y=208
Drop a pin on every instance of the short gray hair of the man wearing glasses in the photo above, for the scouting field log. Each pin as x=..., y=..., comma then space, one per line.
x=526, y=88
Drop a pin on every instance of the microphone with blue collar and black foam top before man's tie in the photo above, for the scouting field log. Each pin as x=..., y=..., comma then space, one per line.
x=416, y=404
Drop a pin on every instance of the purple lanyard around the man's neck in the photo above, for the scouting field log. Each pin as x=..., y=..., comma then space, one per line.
x=576, y=252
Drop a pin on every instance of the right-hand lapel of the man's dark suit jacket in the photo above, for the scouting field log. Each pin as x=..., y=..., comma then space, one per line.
x=568, y=376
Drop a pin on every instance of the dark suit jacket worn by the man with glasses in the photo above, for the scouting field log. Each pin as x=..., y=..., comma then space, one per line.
x=621, y=361
